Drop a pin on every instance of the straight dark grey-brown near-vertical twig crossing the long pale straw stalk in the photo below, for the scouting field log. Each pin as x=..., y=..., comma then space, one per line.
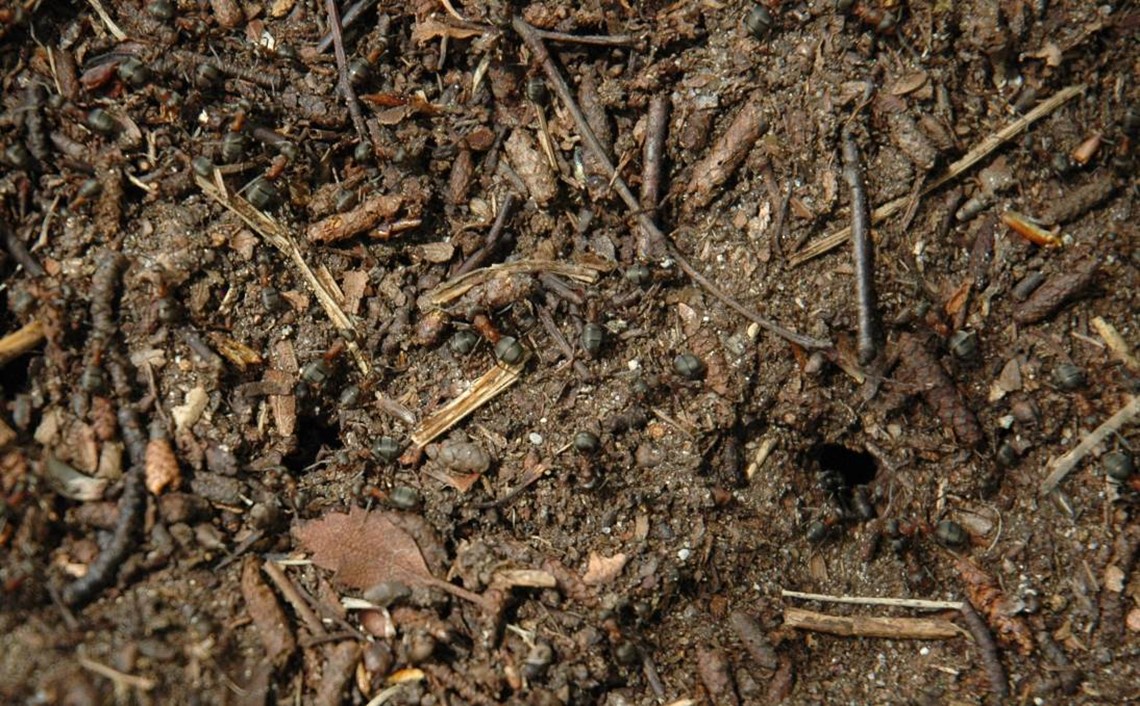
x=865, y=251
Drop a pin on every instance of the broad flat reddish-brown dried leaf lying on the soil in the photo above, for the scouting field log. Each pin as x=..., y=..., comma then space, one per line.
x=364, y=549
